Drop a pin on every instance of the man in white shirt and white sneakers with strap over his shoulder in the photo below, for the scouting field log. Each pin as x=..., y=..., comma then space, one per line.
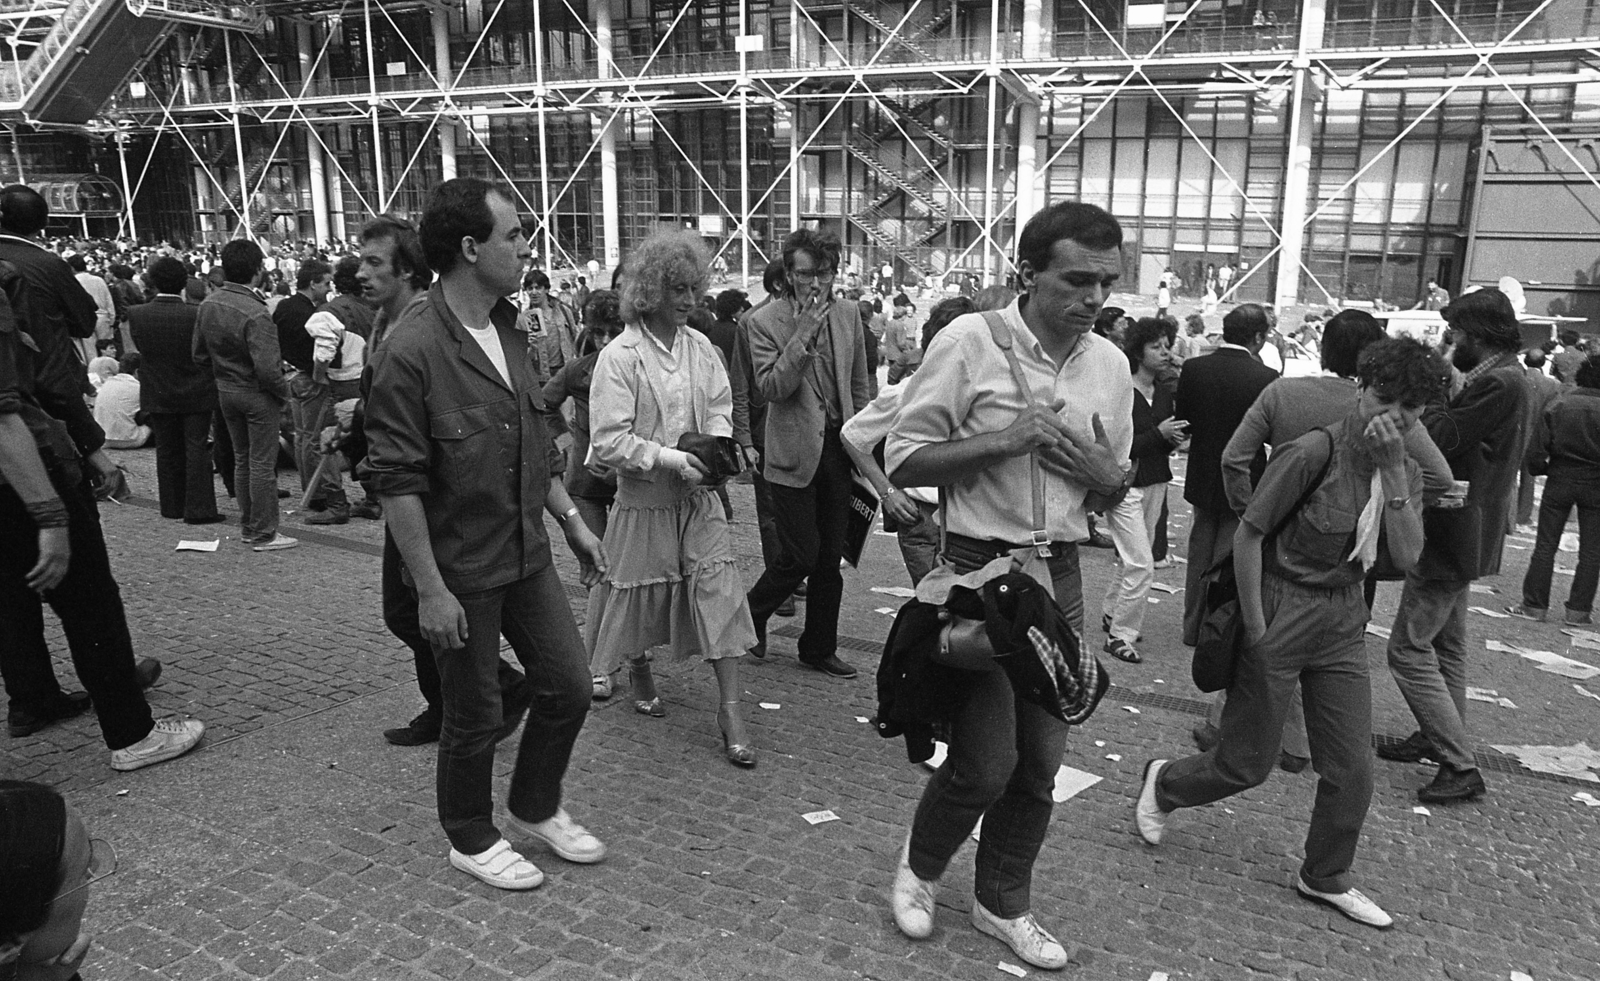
x=1018, y=438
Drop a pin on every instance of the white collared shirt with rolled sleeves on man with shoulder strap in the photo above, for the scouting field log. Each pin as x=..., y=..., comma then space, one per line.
x=966, y=390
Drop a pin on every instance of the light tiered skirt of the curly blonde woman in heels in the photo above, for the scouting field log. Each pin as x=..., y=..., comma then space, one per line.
x=673, y=579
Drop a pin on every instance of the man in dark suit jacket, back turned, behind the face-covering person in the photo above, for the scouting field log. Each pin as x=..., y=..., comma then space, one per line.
x=1215, y=391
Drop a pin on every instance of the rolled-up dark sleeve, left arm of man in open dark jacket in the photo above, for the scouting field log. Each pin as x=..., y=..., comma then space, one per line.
x=398, y=430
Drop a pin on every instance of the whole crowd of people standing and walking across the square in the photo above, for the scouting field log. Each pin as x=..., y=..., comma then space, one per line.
x=466, y=396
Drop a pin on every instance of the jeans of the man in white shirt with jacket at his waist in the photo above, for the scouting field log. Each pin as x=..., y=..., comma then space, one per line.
x=1001, y=767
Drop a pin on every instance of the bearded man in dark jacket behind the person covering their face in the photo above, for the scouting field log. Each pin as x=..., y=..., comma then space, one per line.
x=1482, y=433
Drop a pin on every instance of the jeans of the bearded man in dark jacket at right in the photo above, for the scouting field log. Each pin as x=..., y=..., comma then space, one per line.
x=1428, y=655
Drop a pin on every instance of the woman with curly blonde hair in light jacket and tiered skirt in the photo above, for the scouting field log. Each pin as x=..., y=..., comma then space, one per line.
x=673, y=577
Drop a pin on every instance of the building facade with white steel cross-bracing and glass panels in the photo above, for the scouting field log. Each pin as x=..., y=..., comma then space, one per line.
x=1329, y=151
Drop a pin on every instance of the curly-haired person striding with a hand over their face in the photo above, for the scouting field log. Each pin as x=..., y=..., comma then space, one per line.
x=1305, y=619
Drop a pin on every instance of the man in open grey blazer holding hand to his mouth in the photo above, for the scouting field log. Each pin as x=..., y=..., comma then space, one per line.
x=810, y=366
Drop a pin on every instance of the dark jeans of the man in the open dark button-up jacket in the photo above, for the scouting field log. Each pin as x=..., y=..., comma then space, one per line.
x=537, y=620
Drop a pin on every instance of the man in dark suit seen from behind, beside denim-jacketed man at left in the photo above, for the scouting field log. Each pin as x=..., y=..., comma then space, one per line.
x=177, y=396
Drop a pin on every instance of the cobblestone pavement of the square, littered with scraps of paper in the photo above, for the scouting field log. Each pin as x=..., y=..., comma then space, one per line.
x=297, y=844
